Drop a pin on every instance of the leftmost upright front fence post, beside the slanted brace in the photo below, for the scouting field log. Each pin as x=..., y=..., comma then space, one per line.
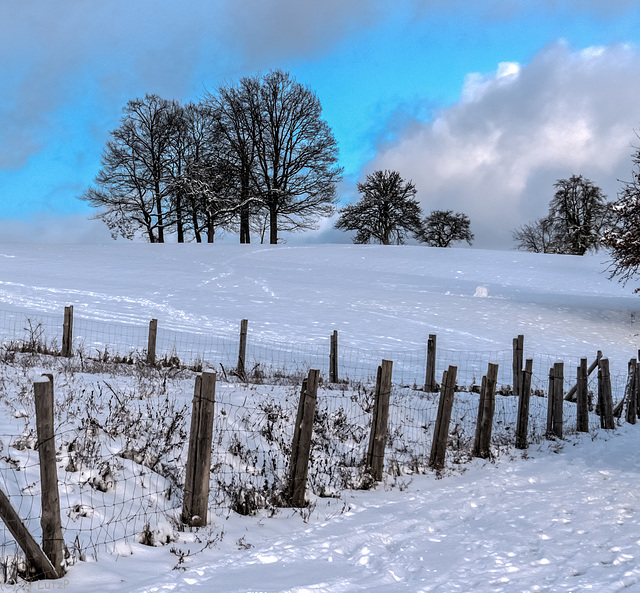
x=52, y=542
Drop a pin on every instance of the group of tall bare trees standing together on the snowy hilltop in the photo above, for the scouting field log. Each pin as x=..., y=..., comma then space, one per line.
x=252, y=156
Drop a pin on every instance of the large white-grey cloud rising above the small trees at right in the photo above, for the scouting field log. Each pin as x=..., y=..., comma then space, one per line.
x=496, y=154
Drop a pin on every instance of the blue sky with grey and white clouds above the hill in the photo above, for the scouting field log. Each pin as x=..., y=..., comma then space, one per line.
x=483, y=105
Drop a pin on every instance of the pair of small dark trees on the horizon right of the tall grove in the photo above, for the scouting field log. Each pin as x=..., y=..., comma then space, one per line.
x=388, y=212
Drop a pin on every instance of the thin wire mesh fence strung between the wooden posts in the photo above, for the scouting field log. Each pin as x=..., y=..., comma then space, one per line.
x=122, y=451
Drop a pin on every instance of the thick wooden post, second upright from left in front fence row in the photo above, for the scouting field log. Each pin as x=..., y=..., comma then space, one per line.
x=198, y=470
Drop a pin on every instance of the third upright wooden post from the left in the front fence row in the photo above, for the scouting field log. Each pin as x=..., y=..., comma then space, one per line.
x=301, y=446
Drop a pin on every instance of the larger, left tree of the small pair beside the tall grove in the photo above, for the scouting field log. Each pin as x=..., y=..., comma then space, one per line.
x=386, y=213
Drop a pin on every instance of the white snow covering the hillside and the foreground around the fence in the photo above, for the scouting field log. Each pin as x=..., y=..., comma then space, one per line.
x=562, y=517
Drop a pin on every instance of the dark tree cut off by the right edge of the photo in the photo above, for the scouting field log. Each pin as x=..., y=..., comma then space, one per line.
x=622, y=238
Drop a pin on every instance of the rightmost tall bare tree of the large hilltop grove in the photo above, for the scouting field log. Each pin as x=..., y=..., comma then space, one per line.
x=296, y=169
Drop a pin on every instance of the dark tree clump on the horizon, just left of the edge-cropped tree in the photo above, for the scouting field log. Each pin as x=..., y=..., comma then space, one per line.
x=578, y=215
